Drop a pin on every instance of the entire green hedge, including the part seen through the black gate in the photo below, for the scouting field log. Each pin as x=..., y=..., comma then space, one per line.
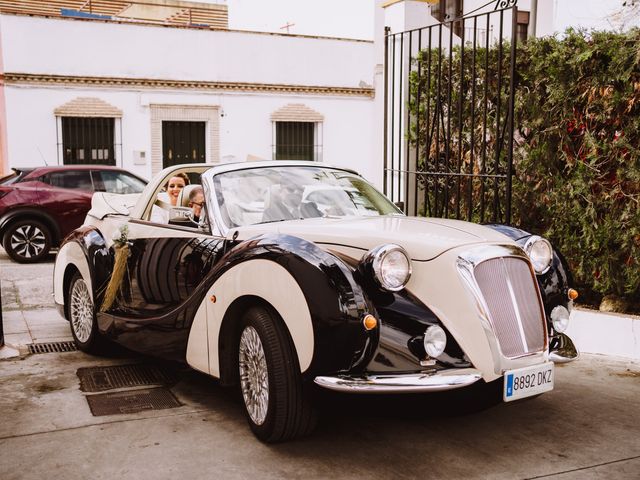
x=577, y=153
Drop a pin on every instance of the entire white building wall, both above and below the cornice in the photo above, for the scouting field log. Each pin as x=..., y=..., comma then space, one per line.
x=80, y=49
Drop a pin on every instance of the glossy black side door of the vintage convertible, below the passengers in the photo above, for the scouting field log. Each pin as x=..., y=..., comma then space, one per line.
x=162, y=287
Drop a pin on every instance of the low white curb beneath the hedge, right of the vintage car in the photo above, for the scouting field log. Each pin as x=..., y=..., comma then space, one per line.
x=605, y=333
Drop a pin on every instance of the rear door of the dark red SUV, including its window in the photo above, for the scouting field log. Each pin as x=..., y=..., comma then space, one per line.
x=66, y=196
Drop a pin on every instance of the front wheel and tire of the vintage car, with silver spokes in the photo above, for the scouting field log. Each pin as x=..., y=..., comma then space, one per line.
x=276, y=400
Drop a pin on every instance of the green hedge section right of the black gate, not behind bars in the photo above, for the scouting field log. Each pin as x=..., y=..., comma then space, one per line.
x=578, y=165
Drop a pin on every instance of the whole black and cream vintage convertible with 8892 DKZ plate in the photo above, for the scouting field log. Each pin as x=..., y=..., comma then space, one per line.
x=299, y=274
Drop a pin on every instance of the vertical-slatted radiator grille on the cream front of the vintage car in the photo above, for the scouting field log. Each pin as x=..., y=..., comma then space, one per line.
x=511, y=296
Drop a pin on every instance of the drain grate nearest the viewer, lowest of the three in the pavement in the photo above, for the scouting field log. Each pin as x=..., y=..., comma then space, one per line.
x=133, y=401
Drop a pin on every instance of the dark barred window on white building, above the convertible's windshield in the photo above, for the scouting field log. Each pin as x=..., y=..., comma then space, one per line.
x=297, y=141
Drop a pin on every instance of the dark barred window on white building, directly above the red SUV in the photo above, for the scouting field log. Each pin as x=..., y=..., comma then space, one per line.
x=88, y=141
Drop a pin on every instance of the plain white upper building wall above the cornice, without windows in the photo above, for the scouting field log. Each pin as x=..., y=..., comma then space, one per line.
x=94, y=48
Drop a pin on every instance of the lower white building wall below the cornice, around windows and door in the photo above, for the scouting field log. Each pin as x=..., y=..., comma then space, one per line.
x=245, y=125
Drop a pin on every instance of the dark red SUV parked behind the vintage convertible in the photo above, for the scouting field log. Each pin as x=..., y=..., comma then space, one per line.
x=40, y=206
